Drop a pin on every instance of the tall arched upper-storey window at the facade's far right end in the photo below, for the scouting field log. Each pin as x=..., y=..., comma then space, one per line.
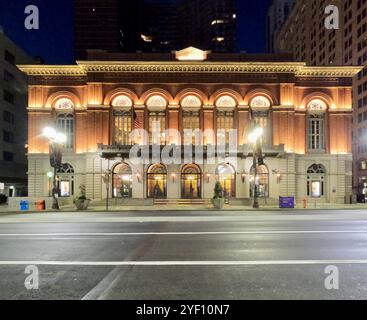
x=316, y=125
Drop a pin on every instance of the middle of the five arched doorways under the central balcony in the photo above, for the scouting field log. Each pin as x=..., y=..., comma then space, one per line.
x=191, y=182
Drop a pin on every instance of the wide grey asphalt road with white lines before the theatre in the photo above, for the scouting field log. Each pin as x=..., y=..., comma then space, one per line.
x=186, y=255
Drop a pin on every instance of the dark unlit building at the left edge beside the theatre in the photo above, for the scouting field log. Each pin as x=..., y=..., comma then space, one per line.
x=13, y=119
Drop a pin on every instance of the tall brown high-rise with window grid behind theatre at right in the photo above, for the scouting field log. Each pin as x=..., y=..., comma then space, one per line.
x=306, y=36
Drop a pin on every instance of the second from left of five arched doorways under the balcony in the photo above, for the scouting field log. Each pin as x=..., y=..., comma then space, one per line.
x=157, y=181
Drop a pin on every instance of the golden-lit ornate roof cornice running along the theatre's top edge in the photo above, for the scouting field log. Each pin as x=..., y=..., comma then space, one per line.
x=85, y=67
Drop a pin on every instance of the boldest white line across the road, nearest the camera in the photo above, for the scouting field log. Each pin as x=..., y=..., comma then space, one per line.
x=182, y=263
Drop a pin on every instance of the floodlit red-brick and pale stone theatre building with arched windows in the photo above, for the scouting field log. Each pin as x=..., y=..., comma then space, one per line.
x=305, y=113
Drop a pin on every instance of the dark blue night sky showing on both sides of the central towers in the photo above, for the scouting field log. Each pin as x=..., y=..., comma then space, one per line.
x=54, y=40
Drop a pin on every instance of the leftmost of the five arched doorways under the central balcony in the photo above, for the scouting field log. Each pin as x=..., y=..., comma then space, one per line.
x=122, y=181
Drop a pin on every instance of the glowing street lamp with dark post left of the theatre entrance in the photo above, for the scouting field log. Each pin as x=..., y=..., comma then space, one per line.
x=56, y=140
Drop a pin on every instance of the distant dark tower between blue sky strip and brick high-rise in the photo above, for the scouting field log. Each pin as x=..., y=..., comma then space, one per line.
x=278, y=13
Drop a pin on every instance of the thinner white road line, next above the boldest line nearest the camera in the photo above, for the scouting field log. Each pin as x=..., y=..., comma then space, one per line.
x=102, y=234
